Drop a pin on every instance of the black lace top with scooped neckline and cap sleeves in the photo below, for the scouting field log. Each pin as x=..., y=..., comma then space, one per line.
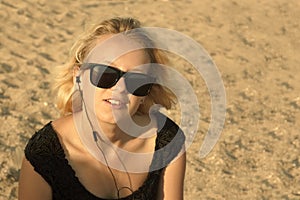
x=47, y=156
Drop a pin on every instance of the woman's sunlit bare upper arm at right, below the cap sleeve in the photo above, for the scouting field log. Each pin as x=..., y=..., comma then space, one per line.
x=172, y=180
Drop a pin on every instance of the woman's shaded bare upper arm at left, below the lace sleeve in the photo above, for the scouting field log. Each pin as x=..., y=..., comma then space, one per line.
x=31, y=185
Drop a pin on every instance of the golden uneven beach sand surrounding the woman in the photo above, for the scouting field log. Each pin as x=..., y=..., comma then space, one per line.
x=255, y=44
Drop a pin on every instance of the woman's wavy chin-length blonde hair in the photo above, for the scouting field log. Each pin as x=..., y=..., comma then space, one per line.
x=65, y=73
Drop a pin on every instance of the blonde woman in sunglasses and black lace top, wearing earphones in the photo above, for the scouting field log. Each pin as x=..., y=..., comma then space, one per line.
x=108, y=144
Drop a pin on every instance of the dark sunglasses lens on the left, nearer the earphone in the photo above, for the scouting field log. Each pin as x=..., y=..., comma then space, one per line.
x=103, y=76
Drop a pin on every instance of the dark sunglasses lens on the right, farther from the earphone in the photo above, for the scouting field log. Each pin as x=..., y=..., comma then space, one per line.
x=138, y=84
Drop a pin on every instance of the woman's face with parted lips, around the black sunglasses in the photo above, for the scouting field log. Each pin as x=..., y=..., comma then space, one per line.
x=115, y=103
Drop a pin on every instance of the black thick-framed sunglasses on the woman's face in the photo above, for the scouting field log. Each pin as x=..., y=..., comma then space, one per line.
x=105, y=76
